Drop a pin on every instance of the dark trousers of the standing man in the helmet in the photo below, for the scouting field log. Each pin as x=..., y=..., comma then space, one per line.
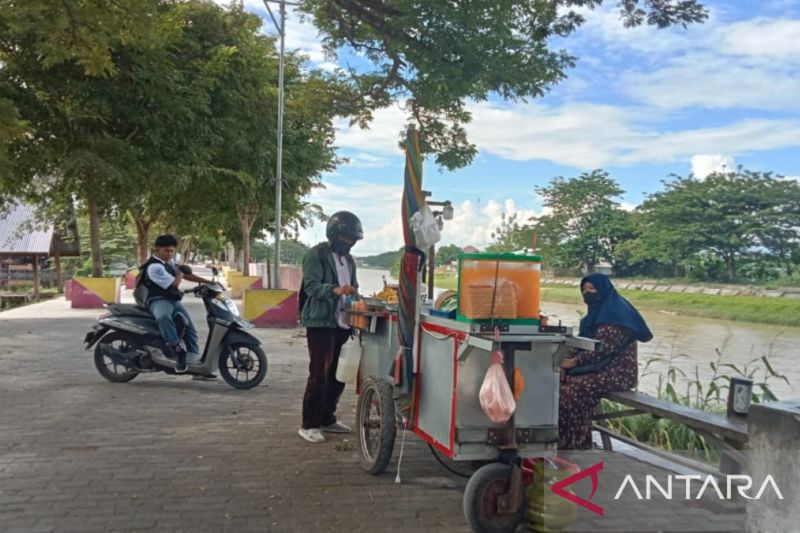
x=322, y=390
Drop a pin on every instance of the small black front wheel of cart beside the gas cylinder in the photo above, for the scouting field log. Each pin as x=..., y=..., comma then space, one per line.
x=481, y=500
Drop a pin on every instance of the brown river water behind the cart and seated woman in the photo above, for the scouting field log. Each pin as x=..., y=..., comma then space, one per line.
x=691, y=342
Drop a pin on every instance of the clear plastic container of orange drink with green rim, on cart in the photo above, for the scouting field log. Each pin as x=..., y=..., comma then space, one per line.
x=513, y=281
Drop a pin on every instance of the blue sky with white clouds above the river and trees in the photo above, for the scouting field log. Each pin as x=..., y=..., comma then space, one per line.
x=641, y=103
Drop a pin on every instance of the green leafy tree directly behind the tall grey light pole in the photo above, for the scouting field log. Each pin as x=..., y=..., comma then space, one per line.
x=242, y=169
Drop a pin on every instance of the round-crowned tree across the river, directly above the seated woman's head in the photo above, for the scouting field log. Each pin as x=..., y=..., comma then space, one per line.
x=584, y=224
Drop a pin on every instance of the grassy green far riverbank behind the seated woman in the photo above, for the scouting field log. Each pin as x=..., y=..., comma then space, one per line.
x=781, y=311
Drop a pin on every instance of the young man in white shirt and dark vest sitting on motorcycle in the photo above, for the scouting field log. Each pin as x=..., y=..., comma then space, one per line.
x=161, y=276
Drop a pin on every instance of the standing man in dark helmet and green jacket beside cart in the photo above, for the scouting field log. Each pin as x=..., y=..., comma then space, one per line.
x=329, y=277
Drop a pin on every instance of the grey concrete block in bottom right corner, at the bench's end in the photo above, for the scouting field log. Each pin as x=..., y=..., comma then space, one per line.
x=774, y=434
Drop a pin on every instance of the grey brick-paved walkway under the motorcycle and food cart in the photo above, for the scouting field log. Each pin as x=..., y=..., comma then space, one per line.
x=166, y=453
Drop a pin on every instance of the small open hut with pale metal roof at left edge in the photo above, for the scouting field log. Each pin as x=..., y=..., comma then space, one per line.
x=26, y=237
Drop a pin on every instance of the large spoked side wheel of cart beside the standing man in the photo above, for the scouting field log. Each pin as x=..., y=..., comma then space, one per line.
x=376, y=424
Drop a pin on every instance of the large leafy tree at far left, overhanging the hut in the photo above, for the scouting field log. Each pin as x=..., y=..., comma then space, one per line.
x=54, y=57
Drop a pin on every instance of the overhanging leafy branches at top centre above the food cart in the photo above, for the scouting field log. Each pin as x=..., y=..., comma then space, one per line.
x=439, y=54
